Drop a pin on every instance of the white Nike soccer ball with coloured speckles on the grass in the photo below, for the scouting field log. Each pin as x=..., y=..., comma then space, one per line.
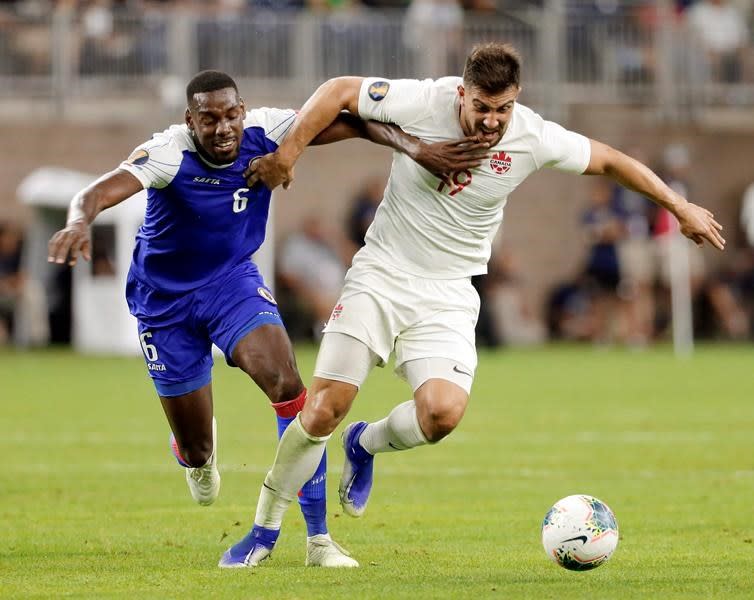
x=579, y=532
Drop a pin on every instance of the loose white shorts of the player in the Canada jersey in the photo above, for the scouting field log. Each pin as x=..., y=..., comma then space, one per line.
x=389, y=310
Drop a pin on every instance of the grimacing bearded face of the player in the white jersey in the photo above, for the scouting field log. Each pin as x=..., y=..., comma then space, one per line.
x=486, y=115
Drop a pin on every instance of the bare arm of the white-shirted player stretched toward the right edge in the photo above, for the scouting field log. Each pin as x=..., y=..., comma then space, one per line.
x=697, y=223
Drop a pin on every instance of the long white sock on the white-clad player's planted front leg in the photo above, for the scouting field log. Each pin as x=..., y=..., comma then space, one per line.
x=298, y=456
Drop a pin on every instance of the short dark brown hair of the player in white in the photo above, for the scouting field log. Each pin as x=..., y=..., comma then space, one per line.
x=492, y=67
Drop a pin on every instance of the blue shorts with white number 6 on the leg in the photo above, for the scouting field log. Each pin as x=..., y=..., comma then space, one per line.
x=177, y=330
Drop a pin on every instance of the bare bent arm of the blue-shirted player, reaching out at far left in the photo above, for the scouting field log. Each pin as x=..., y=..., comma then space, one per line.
x=75, y=238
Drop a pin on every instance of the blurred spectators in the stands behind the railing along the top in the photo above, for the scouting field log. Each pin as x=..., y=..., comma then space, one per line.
x=603, y=39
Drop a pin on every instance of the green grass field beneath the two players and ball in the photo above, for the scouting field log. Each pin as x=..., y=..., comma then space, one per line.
x=92, y=504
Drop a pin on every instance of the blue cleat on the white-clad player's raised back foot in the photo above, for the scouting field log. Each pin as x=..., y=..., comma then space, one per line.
x=356, y=480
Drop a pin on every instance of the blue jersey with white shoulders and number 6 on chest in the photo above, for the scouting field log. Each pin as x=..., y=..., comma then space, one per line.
x=201, y=219
